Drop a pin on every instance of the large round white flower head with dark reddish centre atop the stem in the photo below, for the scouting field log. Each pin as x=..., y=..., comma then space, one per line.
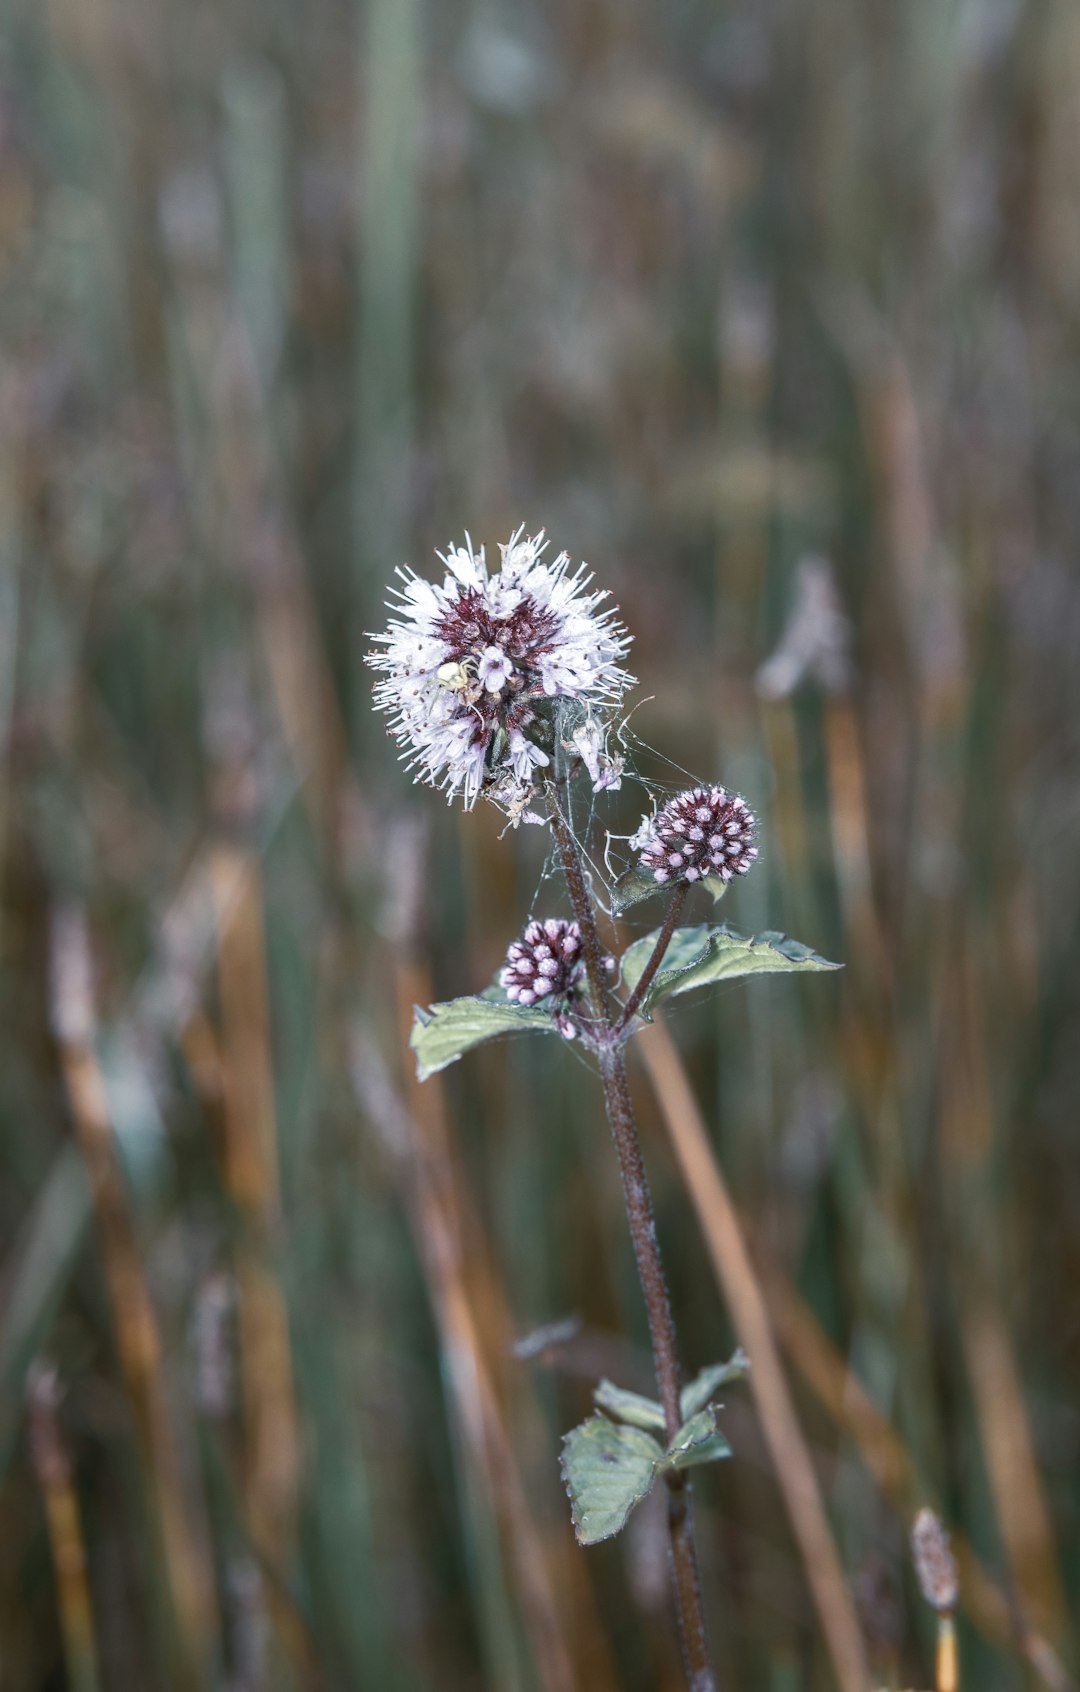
x=475, y=666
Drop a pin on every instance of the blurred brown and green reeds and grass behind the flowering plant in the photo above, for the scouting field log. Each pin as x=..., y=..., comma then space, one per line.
x=712, y=292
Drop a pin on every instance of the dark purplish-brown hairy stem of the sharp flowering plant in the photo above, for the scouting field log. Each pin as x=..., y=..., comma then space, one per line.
x=646, y=1246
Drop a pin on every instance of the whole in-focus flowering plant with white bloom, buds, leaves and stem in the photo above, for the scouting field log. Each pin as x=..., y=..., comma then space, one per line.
x=507, y=686
